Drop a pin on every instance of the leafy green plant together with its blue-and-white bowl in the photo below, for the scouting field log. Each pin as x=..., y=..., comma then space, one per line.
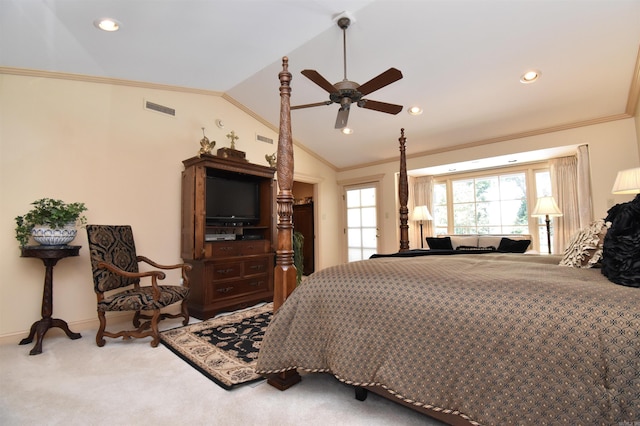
x=50, y=222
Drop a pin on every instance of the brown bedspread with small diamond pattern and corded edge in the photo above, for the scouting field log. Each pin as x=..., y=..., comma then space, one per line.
x=494, y=339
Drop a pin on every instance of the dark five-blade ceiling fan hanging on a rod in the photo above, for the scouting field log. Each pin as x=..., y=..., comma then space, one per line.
x=345, y=93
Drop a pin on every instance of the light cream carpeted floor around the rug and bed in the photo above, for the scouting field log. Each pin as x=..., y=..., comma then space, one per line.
x=76, y=383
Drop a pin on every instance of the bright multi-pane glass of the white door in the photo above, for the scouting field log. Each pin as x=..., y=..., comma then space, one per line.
x=362, y=221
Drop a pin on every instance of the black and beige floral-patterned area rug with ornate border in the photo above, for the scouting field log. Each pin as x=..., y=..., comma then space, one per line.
x=225, y=348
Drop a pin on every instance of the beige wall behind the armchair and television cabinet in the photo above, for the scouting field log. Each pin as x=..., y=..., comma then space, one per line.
x=95, y=143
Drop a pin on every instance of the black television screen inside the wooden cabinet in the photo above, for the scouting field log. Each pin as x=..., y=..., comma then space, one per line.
x=231, y=201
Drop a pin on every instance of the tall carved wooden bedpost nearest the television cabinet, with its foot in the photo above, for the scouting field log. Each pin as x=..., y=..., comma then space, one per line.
x=285, y=272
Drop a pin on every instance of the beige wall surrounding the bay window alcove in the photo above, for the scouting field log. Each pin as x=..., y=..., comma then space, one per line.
x=613, y=146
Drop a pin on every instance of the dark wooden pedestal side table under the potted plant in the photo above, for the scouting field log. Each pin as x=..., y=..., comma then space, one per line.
x=50, y=256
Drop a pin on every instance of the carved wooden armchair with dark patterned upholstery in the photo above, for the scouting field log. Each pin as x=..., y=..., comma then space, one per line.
x=115, y=272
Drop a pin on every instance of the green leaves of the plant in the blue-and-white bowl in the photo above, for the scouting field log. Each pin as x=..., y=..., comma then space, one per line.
x=53, y=213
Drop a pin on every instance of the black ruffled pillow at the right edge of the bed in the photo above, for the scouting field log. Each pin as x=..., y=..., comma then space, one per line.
x=621, y=248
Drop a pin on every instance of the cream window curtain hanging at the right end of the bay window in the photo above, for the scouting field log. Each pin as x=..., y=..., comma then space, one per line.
x=572, y=191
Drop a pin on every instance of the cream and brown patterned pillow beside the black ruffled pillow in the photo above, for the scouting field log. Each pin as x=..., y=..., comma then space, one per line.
x=585, y=247
